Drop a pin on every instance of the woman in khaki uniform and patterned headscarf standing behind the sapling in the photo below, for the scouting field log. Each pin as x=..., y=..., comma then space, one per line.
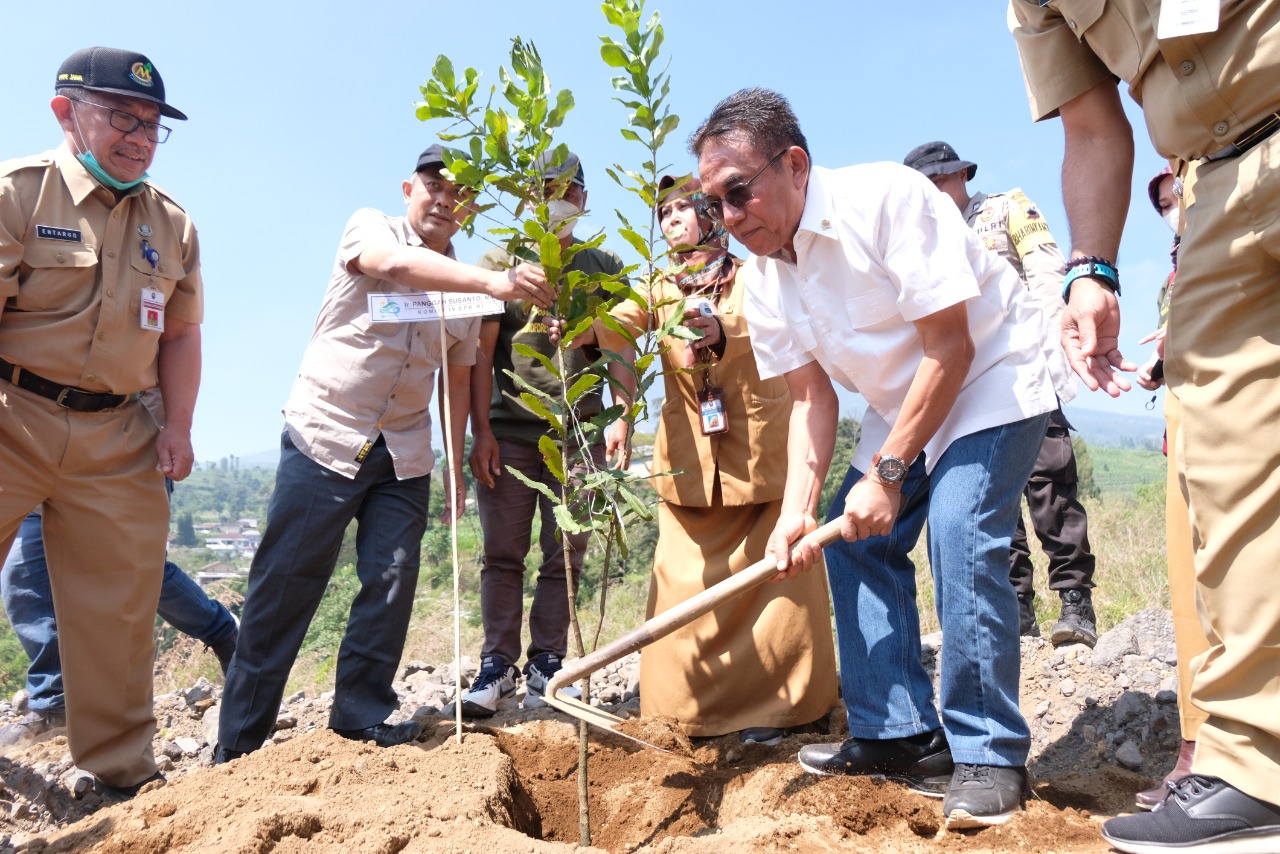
x=764, y=661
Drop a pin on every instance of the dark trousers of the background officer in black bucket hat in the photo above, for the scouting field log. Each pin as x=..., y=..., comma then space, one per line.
x=1058, y=518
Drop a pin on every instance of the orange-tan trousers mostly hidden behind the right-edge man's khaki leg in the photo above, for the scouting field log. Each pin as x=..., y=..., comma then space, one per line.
x=1188, y=633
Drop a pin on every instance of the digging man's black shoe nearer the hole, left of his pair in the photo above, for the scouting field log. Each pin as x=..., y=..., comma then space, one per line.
x=921, y=762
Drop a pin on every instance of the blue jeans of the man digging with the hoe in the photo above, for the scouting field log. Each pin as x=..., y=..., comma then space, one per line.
x=971, y=501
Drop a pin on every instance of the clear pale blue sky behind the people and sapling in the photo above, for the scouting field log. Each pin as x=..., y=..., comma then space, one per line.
x=303, y=113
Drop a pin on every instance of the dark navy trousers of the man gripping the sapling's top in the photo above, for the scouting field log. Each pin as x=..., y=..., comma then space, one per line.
x=308, y=515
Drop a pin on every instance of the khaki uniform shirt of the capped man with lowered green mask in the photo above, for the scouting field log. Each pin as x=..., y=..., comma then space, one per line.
x=72, y=273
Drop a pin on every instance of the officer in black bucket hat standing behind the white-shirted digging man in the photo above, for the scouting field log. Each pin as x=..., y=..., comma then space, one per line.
x=1012, y=226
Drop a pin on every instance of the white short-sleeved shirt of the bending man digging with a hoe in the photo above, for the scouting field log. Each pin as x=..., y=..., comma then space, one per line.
x=879, y=248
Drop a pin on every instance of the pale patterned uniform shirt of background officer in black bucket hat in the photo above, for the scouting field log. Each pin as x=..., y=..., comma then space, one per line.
x=1012, y=226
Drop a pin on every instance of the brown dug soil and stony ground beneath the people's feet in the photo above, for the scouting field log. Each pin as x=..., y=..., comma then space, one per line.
x=1104, y=725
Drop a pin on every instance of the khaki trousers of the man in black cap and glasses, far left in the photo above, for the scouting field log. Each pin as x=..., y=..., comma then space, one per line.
x=106, y=526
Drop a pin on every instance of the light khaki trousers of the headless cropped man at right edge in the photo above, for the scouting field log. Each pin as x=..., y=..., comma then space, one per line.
x=1223, y=360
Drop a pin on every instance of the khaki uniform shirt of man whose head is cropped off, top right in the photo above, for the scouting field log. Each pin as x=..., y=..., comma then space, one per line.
x=1199, y=93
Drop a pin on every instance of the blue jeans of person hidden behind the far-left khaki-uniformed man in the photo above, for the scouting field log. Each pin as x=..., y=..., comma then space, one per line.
x=30, y=605
